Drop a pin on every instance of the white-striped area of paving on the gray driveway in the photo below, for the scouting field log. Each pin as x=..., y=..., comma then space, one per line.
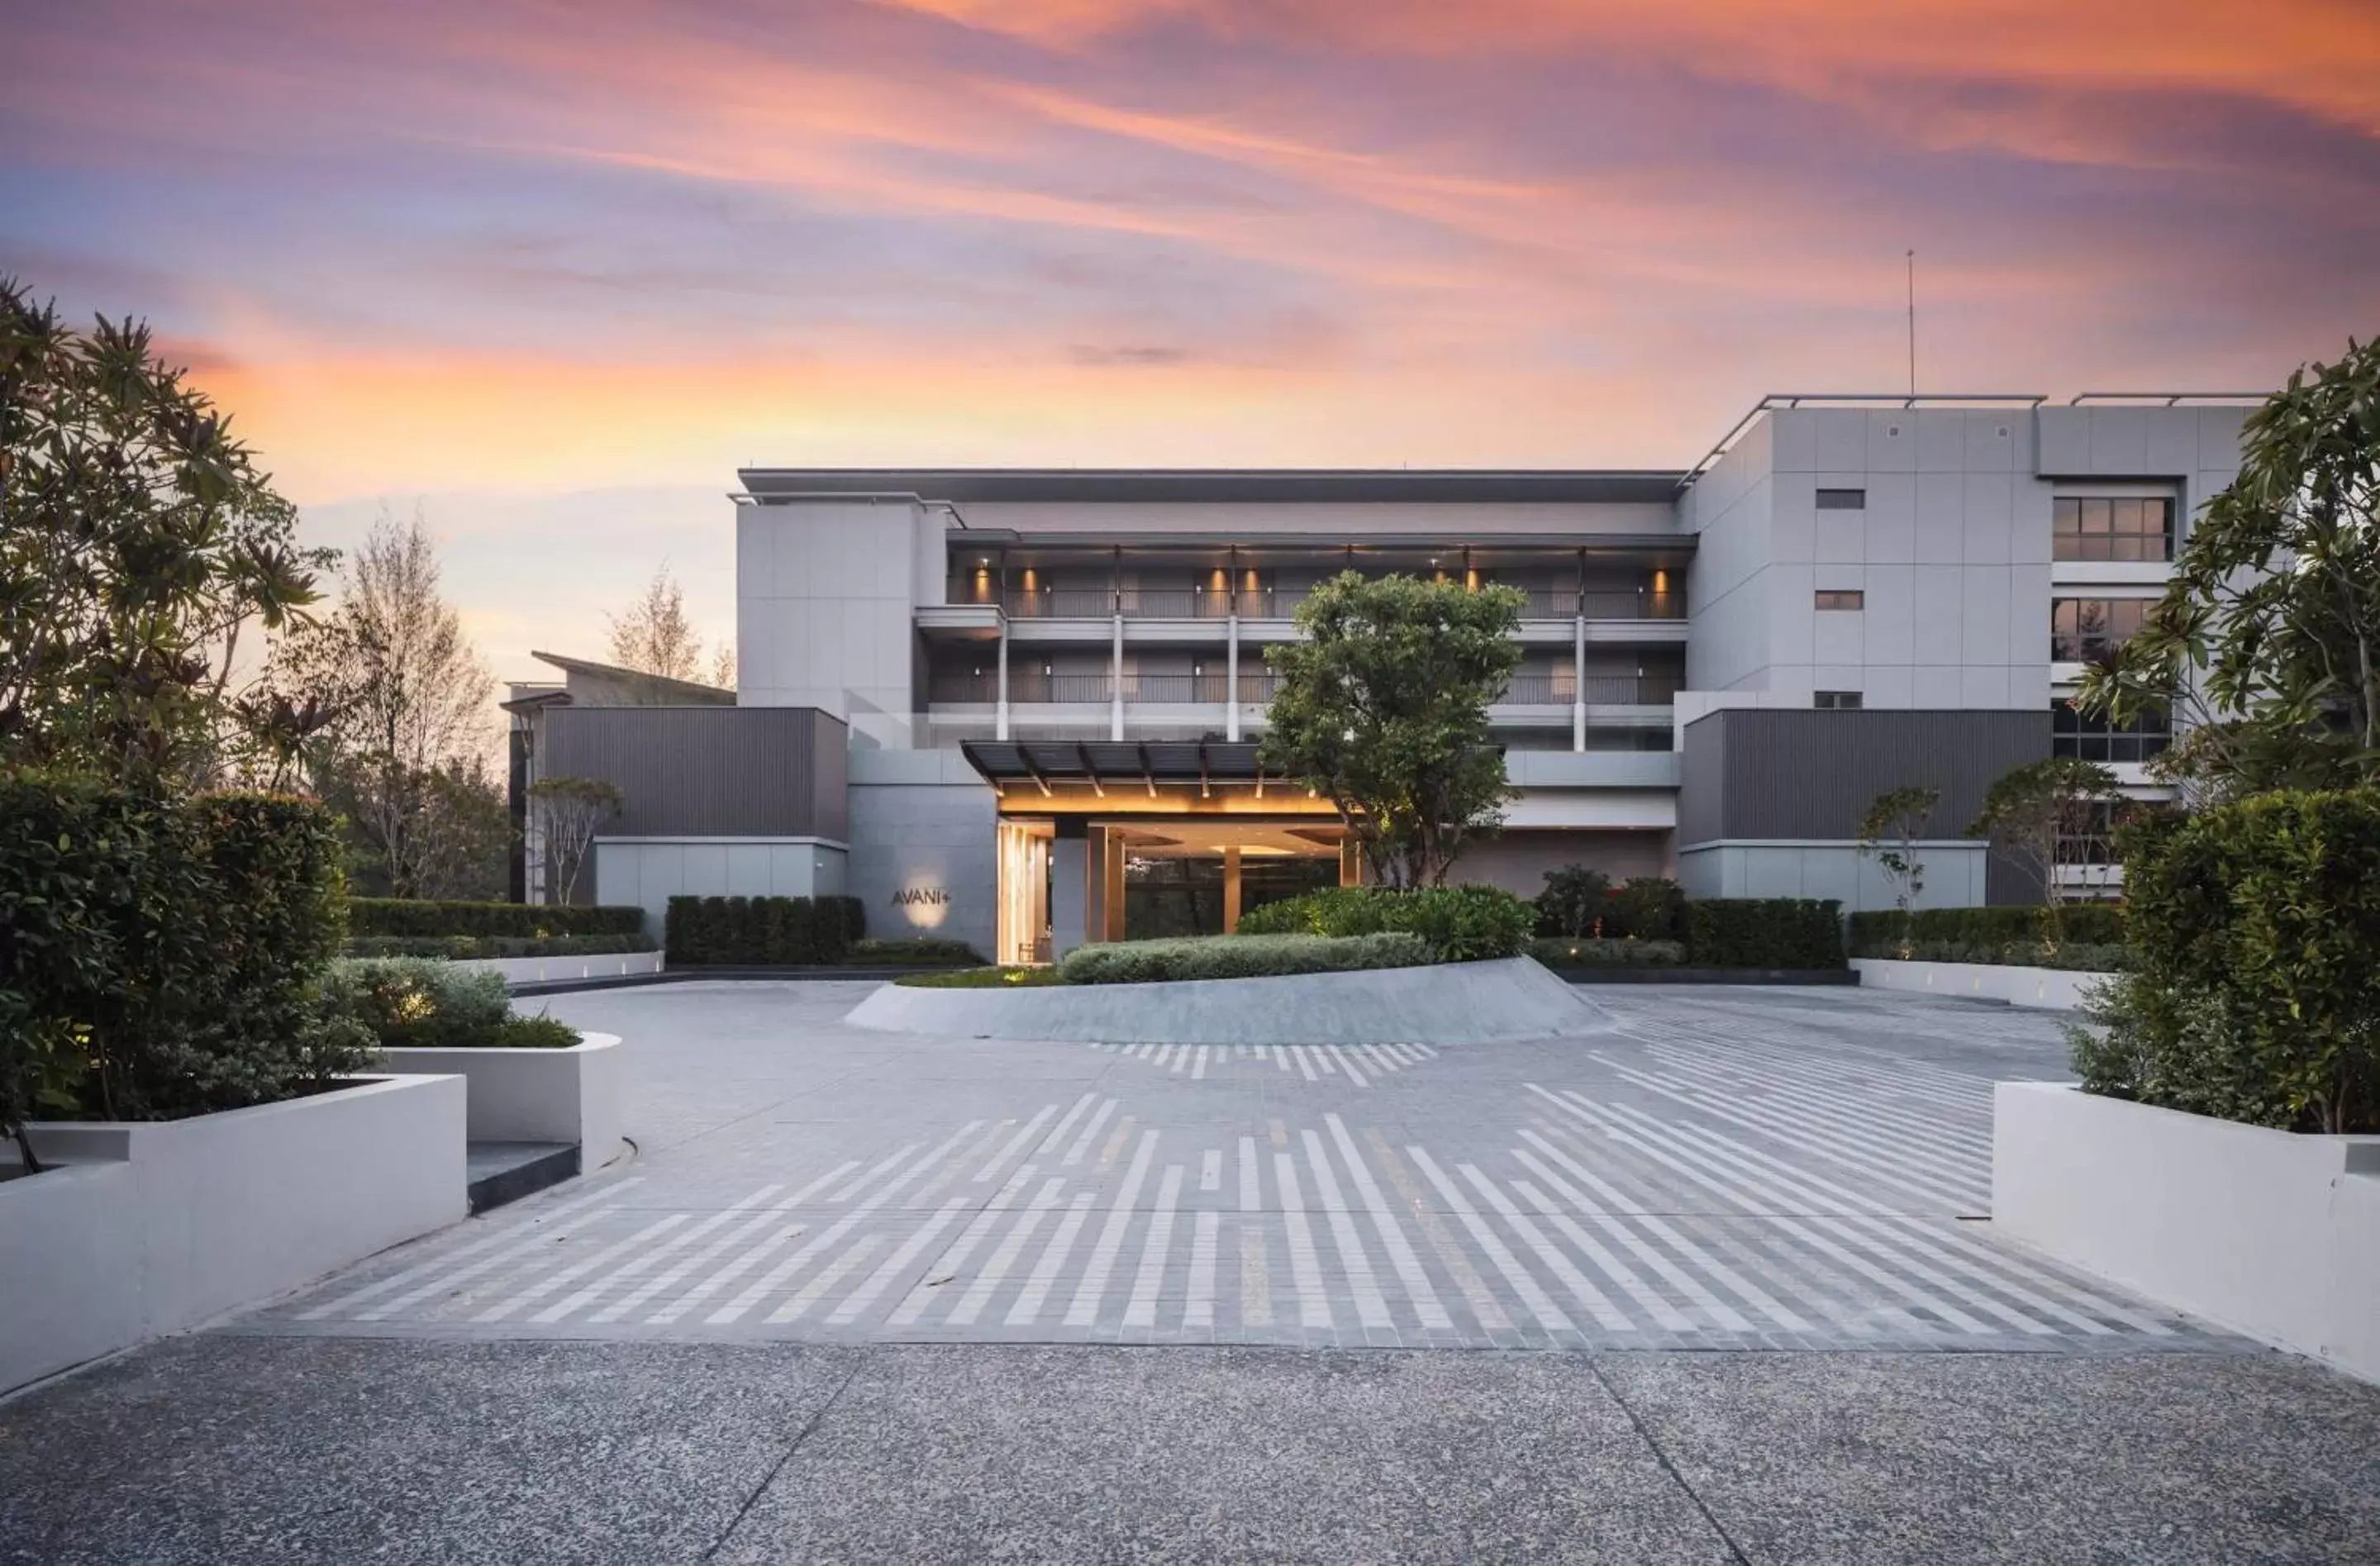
x=1698, y=1196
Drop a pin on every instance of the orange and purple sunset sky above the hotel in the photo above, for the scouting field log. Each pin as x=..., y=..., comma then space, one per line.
x=553, y=270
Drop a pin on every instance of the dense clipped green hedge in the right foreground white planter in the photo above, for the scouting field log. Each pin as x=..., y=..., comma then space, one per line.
x=2253, y=986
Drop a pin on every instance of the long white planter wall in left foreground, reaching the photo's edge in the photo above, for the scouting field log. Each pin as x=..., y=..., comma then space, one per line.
x=156, y=1227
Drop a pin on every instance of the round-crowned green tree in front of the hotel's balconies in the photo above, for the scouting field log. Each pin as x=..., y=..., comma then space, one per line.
x=1384, y=713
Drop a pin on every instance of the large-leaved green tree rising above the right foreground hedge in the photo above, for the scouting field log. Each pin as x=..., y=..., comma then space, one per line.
x=2267, y=644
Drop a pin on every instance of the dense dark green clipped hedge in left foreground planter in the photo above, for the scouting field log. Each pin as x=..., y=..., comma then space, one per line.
x=161, y=956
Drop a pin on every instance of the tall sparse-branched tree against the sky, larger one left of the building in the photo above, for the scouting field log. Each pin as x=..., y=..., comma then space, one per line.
x=408, y=756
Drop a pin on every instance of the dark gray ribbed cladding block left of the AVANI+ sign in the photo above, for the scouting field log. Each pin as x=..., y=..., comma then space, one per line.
x=708, y=772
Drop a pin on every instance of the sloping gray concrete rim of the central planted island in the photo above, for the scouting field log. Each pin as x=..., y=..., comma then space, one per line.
x=1434, y=1006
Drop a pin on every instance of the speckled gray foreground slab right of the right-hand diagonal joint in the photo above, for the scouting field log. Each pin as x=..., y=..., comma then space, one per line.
x=1955, y=1458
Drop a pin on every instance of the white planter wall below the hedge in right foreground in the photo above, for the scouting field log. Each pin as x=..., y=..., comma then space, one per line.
x=2265, y=1232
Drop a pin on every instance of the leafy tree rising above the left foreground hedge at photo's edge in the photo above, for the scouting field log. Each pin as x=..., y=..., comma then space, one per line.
x=142, y=553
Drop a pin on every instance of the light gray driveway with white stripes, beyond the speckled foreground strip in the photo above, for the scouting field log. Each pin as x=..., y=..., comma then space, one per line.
x=1698, y=1172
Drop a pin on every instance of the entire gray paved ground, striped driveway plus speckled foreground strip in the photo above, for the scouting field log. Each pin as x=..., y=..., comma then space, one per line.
x=868, y=1298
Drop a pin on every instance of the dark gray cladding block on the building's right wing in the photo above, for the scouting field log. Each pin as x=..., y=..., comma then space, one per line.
x=1789, y=772
